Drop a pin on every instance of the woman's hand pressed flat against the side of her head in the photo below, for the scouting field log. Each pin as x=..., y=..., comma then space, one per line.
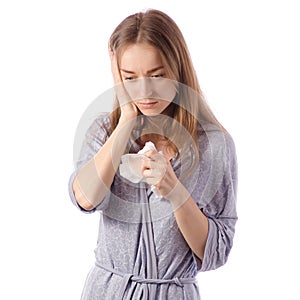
x=129, y=110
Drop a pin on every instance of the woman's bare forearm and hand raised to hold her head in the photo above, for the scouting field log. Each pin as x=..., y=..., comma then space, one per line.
x=94, y=179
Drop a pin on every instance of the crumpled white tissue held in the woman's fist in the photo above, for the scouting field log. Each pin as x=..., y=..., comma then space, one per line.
x=130, y=166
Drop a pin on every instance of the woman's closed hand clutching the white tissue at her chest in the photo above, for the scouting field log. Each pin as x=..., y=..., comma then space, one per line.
x=158, y=172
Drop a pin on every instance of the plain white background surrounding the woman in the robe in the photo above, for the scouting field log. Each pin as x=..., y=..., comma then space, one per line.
x=54, y=63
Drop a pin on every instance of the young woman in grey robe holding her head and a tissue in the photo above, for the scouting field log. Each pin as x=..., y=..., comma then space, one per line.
x=157, y=232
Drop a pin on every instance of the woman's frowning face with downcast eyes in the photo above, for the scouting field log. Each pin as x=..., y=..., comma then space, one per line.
x=144, y=77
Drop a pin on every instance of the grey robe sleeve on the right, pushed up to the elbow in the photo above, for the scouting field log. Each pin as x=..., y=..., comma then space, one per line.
x=217, y=199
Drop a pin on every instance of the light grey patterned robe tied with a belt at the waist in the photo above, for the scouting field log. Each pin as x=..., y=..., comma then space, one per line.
x=140, y=252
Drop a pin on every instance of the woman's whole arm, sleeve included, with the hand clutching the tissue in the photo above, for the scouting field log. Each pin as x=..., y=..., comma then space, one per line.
x=209, y=233
